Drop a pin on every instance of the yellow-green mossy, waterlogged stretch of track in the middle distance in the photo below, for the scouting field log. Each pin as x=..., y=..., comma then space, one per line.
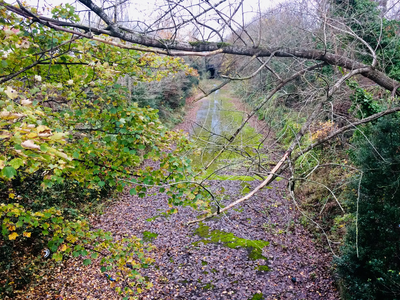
x=217, y=121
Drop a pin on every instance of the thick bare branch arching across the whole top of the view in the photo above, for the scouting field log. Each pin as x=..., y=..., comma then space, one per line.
x=198, y=48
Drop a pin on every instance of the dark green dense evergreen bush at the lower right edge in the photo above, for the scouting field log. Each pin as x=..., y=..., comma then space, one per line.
x=375, y=272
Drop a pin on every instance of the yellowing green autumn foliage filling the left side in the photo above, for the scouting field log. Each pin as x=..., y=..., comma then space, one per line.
x=71, y=134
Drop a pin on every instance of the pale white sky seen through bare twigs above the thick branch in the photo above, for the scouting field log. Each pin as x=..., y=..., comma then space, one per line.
x=139, y=14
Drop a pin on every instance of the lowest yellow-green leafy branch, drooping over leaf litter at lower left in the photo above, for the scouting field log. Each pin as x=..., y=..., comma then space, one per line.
x=73, y=238
